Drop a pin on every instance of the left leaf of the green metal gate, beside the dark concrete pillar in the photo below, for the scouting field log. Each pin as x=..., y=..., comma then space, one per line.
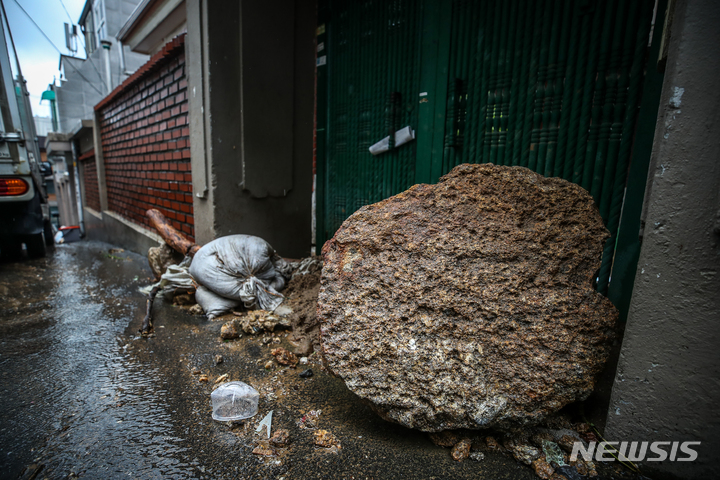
x=372, y=90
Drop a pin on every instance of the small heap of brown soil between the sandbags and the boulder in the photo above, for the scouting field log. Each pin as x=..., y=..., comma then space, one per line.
x=301, y=295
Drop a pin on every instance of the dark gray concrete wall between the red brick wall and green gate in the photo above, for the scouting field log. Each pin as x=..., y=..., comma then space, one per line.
x=257, y=87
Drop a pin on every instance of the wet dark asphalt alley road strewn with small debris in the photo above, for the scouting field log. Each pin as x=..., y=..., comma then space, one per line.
x=84, y=396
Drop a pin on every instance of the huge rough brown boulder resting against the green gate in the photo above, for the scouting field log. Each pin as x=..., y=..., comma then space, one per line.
x=469, y=303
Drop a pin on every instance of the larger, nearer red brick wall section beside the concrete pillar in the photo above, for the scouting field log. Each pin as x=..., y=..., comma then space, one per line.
x=146, y=144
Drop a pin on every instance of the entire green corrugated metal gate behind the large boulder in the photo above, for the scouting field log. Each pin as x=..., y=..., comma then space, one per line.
x=550, y=85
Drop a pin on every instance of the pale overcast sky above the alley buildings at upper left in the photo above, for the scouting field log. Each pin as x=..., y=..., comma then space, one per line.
x=38, y=58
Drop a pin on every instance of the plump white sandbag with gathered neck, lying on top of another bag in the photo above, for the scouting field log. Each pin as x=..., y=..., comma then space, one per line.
x=242, y=267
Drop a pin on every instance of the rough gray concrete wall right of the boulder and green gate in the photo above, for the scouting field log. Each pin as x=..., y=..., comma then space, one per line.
x=667, y=385
